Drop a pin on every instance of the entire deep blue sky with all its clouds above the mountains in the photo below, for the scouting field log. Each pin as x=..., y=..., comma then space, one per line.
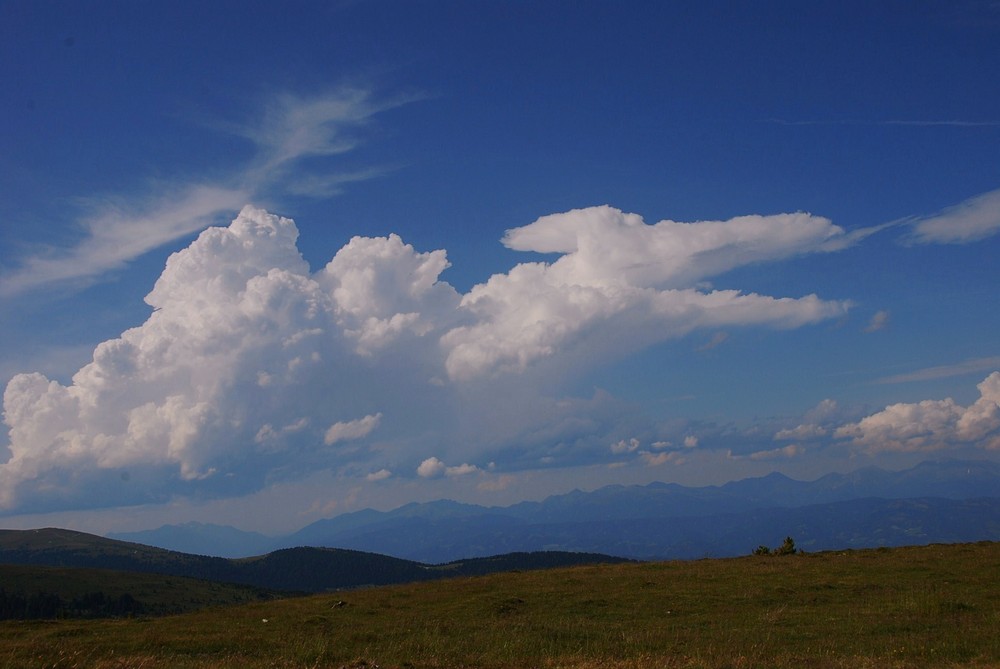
x=491, y=251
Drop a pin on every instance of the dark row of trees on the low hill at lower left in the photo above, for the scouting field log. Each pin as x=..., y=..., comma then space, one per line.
x=45, y=605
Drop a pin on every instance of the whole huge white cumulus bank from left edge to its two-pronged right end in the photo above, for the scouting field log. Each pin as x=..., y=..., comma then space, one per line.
x=253, y=368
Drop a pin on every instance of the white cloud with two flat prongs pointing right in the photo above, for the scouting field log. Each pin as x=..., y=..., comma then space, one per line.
x=623, y=284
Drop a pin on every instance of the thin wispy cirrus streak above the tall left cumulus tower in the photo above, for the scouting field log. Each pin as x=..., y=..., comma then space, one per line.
x=117, y=229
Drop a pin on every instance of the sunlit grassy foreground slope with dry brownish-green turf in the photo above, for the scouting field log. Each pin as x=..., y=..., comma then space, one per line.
x=930, y=606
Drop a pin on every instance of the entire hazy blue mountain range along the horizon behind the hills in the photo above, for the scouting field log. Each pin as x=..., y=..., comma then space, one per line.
x=946, y=501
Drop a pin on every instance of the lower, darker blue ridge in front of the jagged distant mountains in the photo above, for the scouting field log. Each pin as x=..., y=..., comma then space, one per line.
x=868, y=522
